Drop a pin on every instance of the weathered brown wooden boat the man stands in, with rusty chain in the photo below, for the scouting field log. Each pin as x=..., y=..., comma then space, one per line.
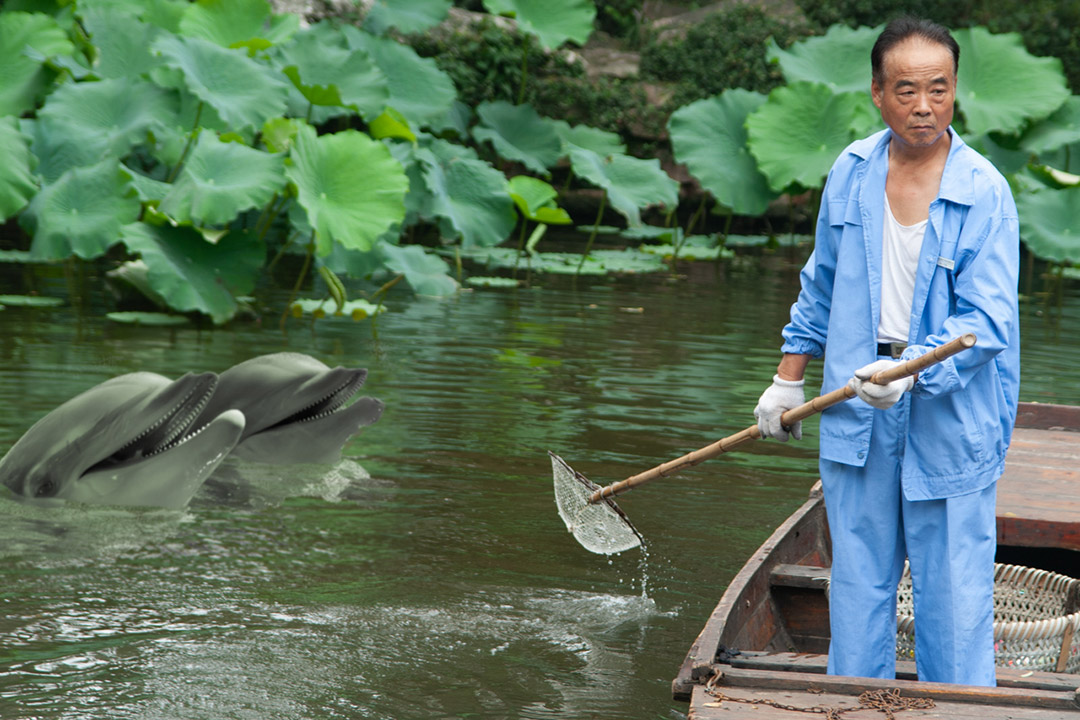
x=763, y=653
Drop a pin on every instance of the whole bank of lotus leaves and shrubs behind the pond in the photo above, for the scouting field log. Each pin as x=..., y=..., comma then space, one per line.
x=356, y=152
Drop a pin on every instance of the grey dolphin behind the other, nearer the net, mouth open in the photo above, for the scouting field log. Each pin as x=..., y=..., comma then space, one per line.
x=295, y=407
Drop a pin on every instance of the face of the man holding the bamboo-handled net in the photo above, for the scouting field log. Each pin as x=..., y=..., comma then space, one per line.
x=917, y=91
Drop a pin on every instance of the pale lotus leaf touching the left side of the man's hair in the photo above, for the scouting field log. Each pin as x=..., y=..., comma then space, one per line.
x=841, y=59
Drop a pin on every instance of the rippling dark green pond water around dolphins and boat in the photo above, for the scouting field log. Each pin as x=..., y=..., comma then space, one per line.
x=428, y=575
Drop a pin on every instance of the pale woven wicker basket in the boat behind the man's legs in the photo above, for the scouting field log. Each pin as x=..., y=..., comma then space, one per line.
x=1036, y=619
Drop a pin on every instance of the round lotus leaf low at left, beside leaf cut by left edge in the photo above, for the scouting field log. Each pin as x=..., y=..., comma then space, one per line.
x=82, y=213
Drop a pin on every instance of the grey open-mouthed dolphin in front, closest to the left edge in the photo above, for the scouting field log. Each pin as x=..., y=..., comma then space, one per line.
x=136, y=440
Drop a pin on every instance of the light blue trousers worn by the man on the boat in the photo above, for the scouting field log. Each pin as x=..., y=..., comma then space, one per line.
x=951, y=546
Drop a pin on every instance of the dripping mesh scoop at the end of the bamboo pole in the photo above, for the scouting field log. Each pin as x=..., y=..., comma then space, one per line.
x=600, y=527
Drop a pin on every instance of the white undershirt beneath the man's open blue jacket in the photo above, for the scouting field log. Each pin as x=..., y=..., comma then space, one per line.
x=900, y=259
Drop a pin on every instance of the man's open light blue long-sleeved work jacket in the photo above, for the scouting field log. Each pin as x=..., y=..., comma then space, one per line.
x=962, y=412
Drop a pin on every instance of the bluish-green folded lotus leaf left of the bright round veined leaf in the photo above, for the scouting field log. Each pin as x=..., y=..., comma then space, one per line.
x=710, y=139
